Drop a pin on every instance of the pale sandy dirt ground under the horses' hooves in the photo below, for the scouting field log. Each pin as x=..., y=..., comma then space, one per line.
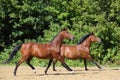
x=25, y=73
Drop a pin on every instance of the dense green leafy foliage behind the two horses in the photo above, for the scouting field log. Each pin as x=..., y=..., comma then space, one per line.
x=40, y=20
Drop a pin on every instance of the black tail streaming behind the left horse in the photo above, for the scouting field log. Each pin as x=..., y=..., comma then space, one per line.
x=13, y=53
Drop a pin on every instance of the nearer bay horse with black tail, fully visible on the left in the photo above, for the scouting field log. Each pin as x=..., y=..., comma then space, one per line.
x=48, y=50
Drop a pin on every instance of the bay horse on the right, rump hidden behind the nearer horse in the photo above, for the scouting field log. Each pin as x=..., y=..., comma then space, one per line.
x=81, y=50
